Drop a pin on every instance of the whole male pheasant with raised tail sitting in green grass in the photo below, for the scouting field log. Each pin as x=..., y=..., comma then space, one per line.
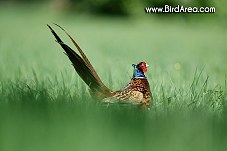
x=136, y=92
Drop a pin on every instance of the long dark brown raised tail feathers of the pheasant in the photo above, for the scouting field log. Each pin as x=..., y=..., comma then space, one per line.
x=83, y=66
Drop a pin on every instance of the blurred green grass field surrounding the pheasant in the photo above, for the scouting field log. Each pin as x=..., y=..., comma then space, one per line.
x=45, y=106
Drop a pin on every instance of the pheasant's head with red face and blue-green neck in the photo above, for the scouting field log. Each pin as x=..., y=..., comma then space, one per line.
x=139, y=70
